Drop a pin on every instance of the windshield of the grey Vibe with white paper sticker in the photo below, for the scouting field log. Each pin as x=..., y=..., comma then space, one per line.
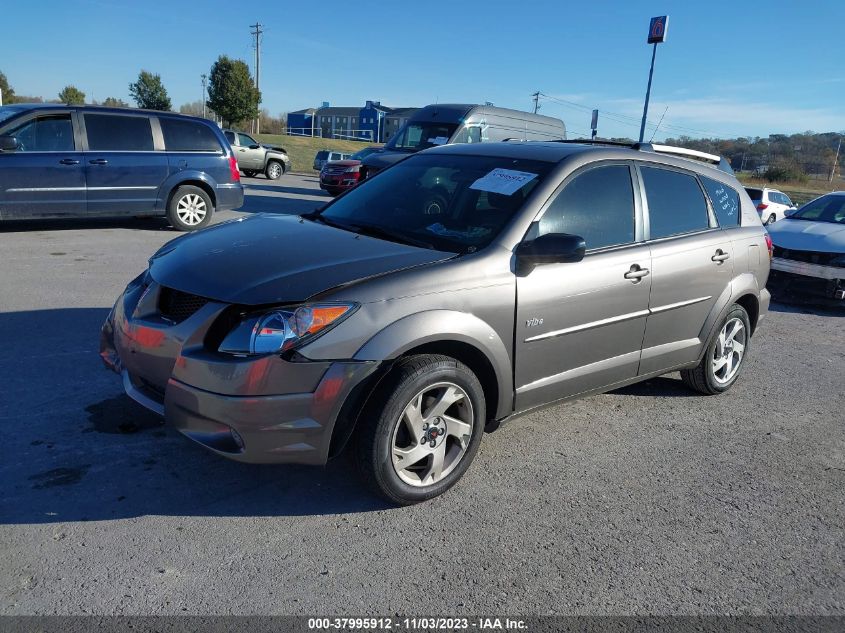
x=451, y=203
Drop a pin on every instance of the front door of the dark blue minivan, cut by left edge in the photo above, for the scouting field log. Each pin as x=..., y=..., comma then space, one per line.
x=45, y=176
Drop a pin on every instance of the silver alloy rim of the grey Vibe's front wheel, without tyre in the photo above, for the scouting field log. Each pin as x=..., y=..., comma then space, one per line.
x=432, y=435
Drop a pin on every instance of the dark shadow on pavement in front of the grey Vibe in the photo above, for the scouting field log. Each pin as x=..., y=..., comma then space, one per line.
x=77, y=449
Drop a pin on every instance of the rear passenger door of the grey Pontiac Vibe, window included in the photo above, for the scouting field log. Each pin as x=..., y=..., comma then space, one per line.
x=691, y=266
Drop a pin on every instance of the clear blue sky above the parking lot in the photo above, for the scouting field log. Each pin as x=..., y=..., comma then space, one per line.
x=728, y=68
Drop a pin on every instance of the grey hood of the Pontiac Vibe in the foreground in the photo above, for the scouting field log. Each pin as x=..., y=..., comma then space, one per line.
x=277, y=259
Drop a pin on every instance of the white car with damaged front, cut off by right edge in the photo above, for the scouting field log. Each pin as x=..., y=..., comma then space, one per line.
x=809, y=250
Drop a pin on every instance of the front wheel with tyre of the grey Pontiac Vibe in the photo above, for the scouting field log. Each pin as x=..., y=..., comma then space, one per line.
x=421, y=429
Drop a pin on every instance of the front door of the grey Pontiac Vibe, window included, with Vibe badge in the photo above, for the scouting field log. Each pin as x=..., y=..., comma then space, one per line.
x=580, y=325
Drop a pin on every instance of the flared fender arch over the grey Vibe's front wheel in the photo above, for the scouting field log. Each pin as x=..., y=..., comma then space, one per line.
x=437, y=326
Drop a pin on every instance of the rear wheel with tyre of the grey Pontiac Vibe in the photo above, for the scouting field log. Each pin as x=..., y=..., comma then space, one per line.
x=724, y=357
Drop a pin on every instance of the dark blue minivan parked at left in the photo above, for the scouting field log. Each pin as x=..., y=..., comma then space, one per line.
x=59, y=161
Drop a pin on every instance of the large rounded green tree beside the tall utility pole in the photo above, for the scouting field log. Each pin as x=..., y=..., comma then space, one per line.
x=231, y=91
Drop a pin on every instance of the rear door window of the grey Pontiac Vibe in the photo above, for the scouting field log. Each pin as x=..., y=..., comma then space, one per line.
x=675, y=203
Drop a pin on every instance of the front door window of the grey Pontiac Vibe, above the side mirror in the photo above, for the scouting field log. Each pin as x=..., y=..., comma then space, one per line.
x=598, y=205
